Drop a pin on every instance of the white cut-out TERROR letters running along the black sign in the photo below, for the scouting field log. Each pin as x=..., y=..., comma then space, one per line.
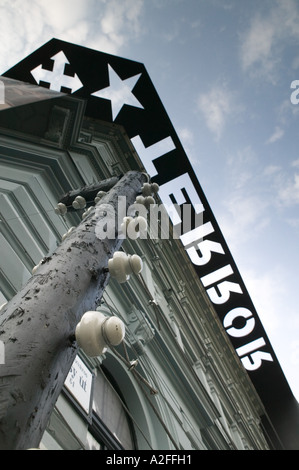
x=201, y=251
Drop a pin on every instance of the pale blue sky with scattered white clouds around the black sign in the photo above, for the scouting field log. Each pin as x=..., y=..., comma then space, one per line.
x=224, y=71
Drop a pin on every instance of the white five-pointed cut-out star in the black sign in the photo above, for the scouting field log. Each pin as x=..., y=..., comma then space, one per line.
x=119, y=92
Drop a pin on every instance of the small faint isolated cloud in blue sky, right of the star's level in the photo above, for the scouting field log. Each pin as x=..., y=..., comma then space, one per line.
x=216, y=106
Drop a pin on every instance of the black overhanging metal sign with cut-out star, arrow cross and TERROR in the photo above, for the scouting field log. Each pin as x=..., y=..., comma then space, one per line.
x=120, y=91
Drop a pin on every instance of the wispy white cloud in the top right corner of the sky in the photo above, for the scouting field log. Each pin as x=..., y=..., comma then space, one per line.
x=267, y=35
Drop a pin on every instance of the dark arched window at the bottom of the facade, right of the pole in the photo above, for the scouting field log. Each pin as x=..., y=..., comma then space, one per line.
x=106, y=426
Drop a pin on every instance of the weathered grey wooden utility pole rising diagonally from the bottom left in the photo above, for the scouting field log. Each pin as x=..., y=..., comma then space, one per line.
x=37, y=325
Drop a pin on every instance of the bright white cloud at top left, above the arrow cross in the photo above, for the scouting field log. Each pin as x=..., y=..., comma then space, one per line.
x=106, y=25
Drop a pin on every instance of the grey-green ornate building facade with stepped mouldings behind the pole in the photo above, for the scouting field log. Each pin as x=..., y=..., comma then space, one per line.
x=175, y=383
